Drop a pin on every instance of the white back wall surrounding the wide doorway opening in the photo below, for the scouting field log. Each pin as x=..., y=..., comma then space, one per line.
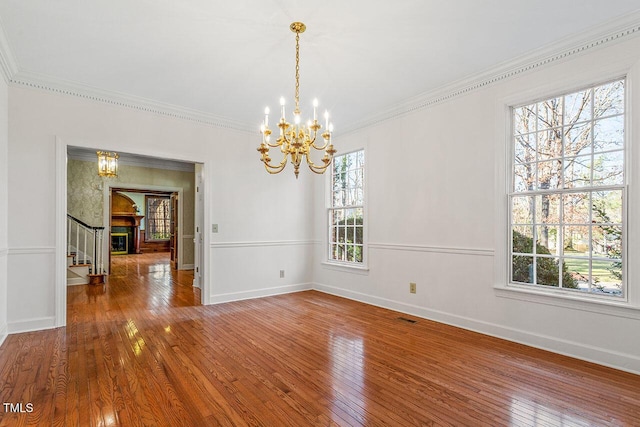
x=258, y=215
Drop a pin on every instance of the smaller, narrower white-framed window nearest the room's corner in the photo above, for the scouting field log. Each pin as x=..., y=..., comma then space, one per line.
x=346, y=211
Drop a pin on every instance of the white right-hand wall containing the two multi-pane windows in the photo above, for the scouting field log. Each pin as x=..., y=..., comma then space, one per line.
x=436, y=210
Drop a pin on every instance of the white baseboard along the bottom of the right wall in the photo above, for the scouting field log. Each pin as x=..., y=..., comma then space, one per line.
x=601, y=356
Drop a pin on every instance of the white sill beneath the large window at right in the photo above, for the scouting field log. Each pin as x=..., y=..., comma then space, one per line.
x=569, y=300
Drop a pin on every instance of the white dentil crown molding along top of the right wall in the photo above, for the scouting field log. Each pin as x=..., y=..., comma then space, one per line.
x=603, y=35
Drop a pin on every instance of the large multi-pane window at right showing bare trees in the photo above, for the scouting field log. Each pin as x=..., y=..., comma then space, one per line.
x=567, y=200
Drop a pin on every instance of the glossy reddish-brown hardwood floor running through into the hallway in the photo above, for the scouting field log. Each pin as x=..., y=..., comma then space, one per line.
x=142, y=351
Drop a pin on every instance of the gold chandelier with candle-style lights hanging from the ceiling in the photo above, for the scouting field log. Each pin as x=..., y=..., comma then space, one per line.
x=296, y=140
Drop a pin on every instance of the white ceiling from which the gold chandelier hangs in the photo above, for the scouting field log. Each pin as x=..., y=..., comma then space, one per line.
x=230, y=59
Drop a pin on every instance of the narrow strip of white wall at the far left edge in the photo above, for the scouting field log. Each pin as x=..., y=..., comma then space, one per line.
x=4, y=201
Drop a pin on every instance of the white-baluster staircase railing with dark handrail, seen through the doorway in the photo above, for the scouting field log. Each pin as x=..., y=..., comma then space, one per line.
x=85, y=243
